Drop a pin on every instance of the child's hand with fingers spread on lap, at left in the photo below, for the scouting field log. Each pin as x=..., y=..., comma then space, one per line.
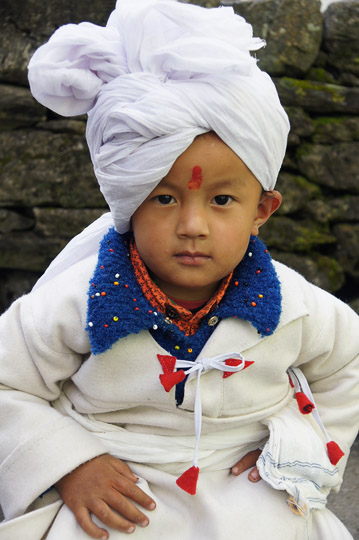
x=104, y=486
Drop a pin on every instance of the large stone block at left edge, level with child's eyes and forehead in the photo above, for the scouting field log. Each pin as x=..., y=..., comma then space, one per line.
x=40, y=168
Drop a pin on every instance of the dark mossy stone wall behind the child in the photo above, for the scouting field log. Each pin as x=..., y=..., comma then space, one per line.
x=48, y=192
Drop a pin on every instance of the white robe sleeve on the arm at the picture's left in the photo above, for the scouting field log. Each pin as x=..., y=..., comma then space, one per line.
x=42, y=343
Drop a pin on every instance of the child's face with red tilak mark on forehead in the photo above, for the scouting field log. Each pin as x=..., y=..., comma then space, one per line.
x=194, y=227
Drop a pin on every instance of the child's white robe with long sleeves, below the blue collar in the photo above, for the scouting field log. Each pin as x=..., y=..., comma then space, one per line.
x=48, y=374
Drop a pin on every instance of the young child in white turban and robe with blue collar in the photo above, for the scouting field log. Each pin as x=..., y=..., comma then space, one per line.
x=163, y=364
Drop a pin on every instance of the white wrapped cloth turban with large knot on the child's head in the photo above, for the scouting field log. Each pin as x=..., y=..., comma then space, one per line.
x=160, y=73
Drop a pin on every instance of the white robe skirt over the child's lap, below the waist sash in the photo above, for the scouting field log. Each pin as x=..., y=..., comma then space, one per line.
x=254, y=509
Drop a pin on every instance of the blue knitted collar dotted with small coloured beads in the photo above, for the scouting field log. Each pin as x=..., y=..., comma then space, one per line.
x=117, y=307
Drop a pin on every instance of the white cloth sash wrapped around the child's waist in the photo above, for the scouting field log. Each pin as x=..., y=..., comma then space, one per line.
x=218, y=450
